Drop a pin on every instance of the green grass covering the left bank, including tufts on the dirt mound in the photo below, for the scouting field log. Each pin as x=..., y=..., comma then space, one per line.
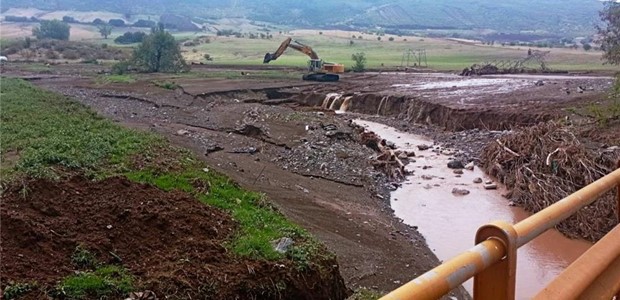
x=47, y=135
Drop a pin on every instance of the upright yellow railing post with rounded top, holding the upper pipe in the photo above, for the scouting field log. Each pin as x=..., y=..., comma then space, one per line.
x=498, y=281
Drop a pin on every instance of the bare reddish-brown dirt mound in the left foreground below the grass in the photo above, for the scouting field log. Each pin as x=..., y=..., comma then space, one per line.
x=171, y=242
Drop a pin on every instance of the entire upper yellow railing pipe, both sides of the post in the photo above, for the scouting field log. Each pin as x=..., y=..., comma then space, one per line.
x=454, y=272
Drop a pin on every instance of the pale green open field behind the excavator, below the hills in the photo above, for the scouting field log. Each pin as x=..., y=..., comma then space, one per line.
x=335, y=46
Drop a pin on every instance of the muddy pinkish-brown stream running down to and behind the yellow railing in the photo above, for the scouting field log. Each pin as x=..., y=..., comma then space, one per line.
x=449, y=222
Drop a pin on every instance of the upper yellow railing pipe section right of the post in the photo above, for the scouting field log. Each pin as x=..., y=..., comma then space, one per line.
x=535, y=225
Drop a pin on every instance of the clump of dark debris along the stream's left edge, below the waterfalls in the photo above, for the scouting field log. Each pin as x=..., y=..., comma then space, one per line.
x=388, y=160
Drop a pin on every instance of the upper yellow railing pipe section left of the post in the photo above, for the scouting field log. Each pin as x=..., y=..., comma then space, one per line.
x=451, y=274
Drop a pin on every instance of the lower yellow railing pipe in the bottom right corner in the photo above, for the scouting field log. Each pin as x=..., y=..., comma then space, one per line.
x=583, y=272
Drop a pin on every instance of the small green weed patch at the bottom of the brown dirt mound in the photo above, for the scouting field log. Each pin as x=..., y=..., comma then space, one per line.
x=104, y=281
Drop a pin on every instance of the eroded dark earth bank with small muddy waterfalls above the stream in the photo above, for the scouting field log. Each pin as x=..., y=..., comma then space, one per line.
x=415, y=110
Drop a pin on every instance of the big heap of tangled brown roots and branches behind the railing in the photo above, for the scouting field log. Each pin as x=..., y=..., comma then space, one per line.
x=542, y=164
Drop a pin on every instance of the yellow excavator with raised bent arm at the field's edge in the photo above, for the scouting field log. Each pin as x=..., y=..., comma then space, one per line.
x=319, y=70
